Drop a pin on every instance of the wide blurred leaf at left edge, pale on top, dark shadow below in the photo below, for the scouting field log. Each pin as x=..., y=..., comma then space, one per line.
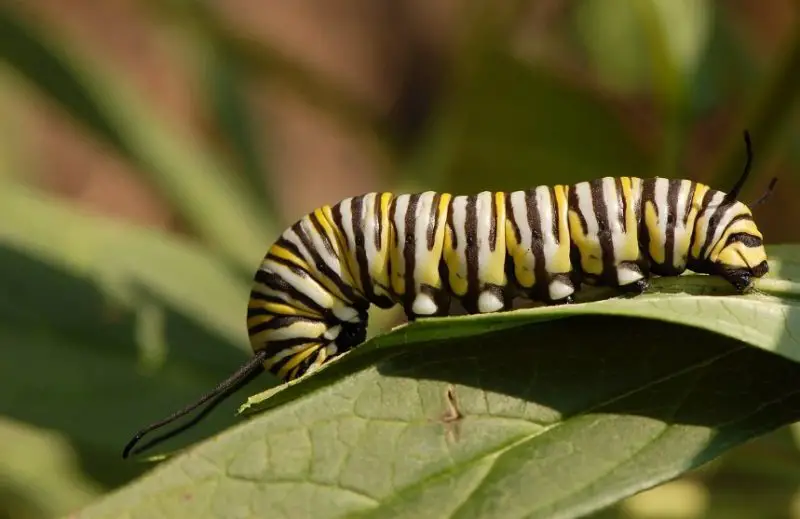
x=107, y=326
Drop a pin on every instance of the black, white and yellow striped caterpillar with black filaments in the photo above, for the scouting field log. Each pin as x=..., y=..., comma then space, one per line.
x=312, y=290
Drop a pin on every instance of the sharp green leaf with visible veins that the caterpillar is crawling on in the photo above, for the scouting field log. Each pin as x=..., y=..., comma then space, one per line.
x=550, y=416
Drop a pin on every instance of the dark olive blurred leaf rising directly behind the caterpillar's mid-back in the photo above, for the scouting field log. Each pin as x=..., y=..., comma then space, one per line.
x=510, y=125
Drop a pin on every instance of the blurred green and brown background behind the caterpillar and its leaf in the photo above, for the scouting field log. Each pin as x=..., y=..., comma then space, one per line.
x=150, y=152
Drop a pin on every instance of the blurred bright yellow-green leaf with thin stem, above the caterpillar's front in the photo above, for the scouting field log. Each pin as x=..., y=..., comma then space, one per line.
x=651, y=45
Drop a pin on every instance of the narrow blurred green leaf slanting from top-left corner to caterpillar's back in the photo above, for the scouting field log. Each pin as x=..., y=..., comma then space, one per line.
x=220, y=210
